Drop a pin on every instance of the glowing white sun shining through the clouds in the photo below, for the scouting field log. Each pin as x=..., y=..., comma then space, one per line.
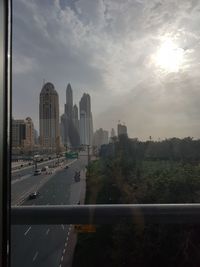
x=169, y=56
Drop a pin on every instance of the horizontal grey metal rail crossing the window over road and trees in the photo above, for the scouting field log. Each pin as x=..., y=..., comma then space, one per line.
x=106, y=214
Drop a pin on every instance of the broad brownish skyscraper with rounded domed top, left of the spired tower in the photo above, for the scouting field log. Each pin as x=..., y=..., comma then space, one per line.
x=49, y=118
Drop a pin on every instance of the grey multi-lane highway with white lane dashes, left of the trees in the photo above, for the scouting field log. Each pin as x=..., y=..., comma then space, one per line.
x=45, y=245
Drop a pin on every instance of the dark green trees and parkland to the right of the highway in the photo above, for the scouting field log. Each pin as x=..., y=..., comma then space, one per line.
x=130, y=171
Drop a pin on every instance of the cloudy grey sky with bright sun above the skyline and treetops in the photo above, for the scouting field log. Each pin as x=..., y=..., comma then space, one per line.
x=138, y=59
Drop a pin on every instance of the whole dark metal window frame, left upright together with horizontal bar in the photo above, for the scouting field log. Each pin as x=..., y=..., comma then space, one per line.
x=82, y=214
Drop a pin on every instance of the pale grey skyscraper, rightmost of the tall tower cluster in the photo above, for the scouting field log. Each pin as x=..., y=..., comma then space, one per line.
x=86, y=122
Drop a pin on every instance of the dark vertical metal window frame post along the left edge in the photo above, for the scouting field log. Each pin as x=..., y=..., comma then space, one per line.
x=5, y=115
